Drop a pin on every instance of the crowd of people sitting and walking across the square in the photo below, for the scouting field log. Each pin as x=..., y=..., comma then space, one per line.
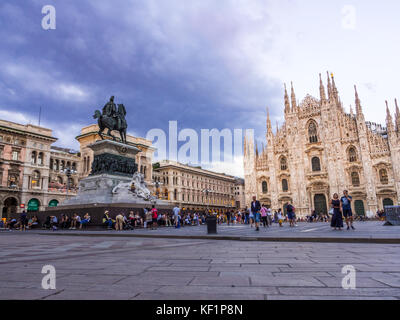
x=256, y=215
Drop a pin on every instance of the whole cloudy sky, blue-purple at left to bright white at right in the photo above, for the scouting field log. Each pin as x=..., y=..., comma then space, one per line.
x=205, y=63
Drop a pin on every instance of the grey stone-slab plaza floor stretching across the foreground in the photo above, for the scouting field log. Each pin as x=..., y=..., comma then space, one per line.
x=121, y=267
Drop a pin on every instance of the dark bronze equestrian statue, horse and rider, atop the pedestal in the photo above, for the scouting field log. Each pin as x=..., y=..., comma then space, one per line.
x=112, y=118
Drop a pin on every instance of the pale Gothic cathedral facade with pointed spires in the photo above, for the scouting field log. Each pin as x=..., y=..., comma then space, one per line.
x=321, y=150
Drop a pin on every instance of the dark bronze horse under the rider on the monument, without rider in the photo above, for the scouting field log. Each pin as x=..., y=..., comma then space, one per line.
x=116, y=122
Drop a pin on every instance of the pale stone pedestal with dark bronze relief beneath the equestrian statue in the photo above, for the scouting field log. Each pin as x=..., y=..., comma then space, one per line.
x=109, y=183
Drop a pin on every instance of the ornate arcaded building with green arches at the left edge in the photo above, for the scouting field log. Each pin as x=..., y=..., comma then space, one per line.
x=26, y=180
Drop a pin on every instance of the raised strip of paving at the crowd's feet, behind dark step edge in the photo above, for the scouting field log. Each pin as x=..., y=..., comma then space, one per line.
x=366, y=232
